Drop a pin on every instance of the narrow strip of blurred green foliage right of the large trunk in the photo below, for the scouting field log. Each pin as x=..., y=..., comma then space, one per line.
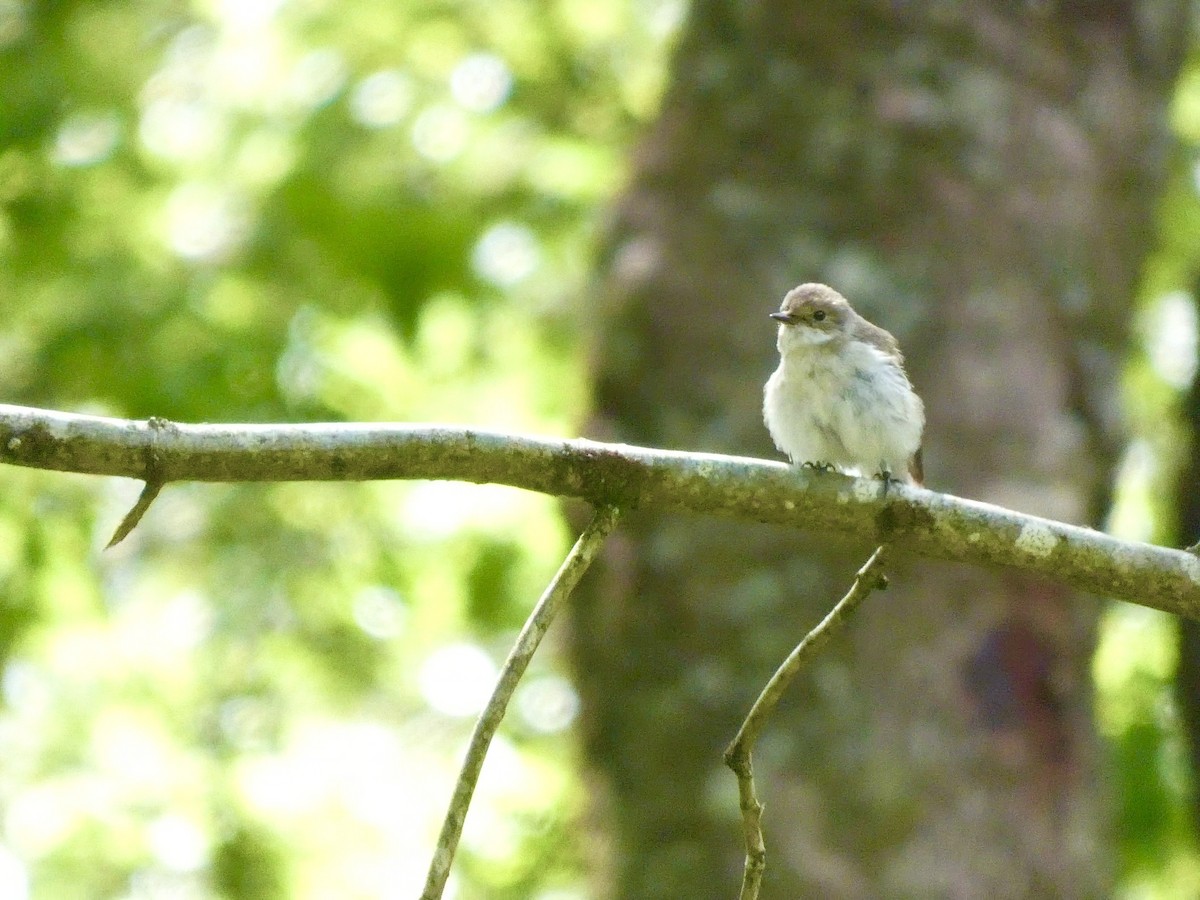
x=1137, y=657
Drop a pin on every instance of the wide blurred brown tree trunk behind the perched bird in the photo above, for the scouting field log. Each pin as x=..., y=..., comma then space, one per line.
x=979, y=178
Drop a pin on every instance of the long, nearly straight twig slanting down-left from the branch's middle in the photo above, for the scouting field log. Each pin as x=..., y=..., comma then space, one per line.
x=535, y=629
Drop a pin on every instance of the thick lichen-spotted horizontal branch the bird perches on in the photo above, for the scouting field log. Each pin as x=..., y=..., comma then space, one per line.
x=920, y=521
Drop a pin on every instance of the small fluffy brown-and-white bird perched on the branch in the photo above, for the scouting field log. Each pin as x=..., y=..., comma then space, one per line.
x=841, y=398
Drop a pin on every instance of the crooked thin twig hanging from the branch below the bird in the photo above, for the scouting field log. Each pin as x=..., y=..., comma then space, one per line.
x=737, y=757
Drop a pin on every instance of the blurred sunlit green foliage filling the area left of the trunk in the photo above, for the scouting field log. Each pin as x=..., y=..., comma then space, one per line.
x=292, y=211
